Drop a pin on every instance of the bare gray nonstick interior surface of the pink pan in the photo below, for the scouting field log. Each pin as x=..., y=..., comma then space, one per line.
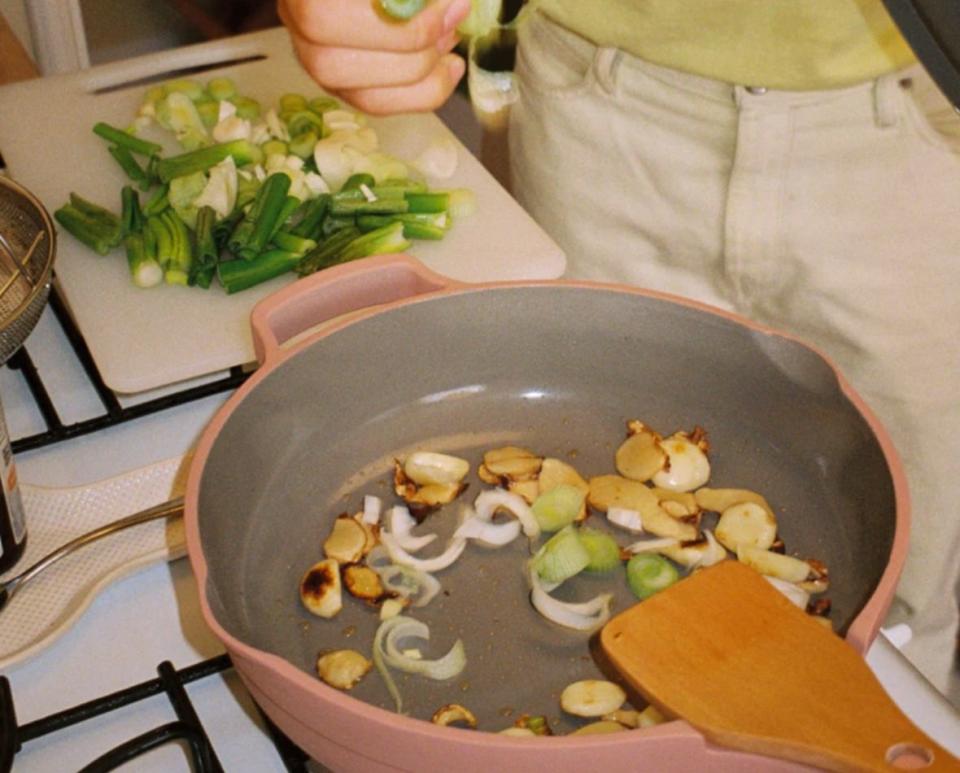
x=558, y=369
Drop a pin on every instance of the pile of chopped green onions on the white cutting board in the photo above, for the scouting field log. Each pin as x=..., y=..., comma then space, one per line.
x=256, y=192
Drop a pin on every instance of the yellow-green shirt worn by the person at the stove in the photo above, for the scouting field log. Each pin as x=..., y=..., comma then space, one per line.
x=781, y=44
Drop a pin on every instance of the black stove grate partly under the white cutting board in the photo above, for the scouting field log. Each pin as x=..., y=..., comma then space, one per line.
x=113, y=411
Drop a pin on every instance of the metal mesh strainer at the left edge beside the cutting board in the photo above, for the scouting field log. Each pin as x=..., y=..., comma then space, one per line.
x=27, y=249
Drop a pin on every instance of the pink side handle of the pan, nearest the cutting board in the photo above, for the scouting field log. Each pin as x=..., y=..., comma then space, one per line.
x=332, y=292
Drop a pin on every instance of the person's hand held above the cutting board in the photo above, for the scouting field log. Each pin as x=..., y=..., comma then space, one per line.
x=378, y=65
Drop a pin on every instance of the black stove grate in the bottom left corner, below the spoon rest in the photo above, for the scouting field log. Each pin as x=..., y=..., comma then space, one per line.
x=187, y=727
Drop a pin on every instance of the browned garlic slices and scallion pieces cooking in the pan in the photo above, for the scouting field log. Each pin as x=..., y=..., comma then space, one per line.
x=662, y=476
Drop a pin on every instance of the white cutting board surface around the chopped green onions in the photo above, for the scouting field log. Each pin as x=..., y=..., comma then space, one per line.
x=145, y=339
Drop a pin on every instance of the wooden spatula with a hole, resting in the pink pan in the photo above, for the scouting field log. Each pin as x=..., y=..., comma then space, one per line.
x=728, y=653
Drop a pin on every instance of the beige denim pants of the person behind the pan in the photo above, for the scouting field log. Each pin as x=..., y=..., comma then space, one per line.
x=832, y=215
